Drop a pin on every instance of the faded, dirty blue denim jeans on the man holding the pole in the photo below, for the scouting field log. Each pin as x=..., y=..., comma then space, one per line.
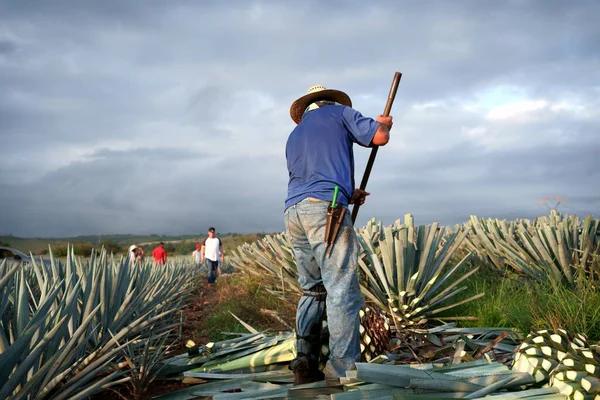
x=305, y=226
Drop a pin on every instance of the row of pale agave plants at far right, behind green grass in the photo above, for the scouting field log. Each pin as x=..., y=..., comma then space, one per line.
x=556, y=247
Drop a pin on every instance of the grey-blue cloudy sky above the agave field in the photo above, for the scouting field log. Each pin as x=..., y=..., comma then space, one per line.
x=170, y=116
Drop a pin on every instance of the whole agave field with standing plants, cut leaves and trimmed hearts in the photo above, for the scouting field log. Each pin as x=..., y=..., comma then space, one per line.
x=76, y=327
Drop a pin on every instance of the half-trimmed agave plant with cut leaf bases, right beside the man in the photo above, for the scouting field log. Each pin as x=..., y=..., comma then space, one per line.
x=404, y=269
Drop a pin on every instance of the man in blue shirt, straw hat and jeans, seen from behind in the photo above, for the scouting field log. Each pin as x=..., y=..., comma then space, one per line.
x=319, y=154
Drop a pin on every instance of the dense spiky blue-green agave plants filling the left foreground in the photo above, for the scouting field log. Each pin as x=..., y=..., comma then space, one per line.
x=63, y=326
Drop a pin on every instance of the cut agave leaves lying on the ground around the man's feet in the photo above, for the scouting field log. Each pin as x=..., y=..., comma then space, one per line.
x=442, y=362
